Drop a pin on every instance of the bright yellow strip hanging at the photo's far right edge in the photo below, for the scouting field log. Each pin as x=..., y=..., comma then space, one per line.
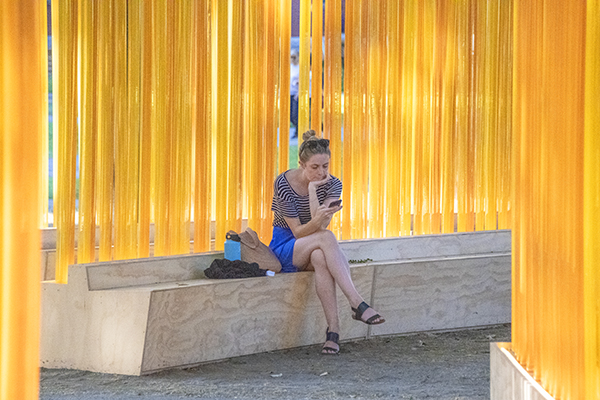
x=592, y=203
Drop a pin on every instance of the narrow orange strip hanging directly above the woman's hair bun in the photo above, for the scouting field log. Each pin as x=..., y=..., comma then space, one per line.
x=316, y=65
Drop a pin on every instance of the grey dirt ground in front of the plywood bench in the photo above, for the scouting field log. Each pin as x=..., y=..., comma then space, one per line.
x=442, y=365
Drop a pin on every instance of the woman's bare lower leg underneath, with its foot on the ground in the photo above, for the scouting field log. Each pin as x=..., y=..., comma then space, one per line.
x=325, y=287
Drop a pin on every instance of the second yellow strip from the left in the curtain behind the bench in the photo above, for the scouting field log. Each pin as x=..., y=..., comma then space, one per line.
x=86, y=244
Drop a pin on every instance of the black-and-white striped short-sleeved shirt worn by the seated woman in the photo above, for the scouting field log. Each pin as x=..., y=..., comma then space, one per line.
x=288, y=203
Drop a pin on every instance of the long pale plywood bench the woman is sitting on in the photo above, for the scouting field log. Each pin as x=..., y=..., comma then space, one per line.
x=141, y=316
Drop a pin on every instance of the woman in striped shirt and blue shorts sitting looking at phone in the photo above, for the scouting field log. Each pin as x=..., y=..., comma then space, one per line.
x=304, y=202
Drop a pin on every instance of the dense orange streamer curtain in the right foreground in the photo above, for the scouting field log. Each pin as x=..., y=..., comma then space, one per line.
x=550, y=185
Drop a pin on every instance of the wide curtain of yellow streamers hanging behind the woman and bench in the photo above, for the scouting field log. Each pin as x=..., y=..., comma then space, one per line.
x=425, y=111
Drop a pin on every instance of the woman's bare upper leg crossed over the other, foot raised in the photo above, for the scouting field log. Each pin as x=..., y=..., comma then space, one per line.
x=335, y=261
